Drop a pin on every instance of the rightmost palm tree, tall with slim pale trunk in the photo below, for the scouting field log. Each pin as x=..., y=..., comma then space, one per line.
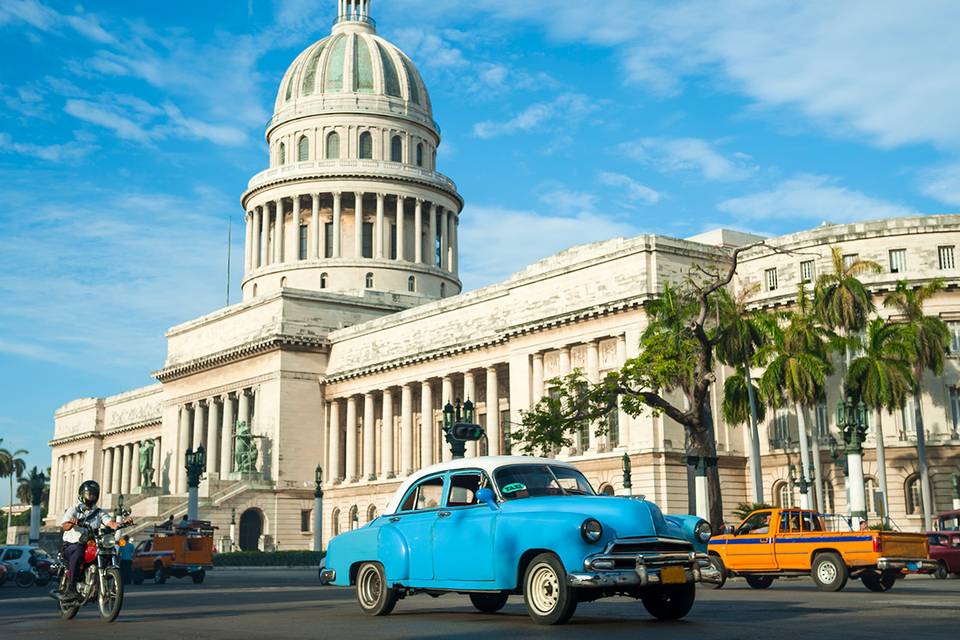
x=928, y=338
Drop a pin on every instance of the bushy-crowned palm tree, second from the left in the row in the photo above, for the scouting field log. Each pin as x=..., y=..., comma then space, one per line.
x=798, y=364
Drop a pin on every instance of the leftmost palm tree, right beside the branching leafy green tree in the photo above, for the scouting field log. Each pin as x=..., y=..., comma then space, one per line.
x=740, y=332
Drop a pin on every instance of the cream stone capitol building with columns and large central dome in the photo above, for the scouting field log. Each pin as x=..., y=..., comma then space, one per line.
x=353, y=332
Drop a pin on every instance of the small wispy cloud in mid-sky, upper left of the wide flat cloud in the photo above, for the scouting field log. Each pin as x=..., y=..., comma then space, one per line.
x=689, y=154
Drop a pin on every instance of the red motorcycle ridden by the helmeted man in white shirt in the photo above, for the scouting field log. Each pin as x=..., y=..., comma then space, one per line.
x=99, y=573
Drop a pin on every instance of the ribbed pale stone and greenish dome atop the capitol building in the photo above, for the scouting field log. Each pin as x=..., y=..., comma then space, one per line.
x=353, y=69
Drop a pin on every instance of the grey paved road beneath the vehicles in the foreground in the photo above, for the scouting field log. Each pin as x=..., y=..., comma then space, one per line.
x=290, y=604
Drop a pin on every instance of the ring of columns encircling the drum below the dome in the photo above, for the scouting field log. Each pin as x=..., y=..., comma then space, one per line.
x=266, y=230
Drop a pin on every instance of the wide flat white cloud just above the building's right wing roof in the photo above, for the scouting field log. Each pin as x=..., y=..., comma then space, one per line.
x=811, y=198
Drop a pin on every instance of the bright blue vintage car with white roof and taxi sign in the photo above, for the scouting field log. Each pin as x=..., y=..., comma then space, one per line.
x=495, y=526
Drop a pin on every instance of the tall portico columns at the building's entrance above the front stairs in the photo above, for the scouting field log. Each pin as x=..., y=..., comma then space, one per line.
x=211, y=421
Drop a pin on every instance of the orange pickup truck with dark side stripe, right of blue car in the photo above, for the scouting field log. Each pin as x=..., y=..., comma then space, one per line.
x=772, y=543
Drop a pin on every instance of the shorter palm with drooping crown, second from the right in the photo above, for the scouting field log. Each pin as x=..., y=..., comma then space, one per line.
x=883, y=379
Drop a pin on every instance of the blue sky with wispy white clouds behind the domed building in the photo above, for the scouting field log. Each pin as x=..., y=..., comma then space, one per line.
x=128, y=131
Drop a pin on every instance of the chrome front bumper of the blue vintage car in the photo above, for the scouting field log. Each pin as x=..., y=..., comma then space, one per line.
x=601, y=569
